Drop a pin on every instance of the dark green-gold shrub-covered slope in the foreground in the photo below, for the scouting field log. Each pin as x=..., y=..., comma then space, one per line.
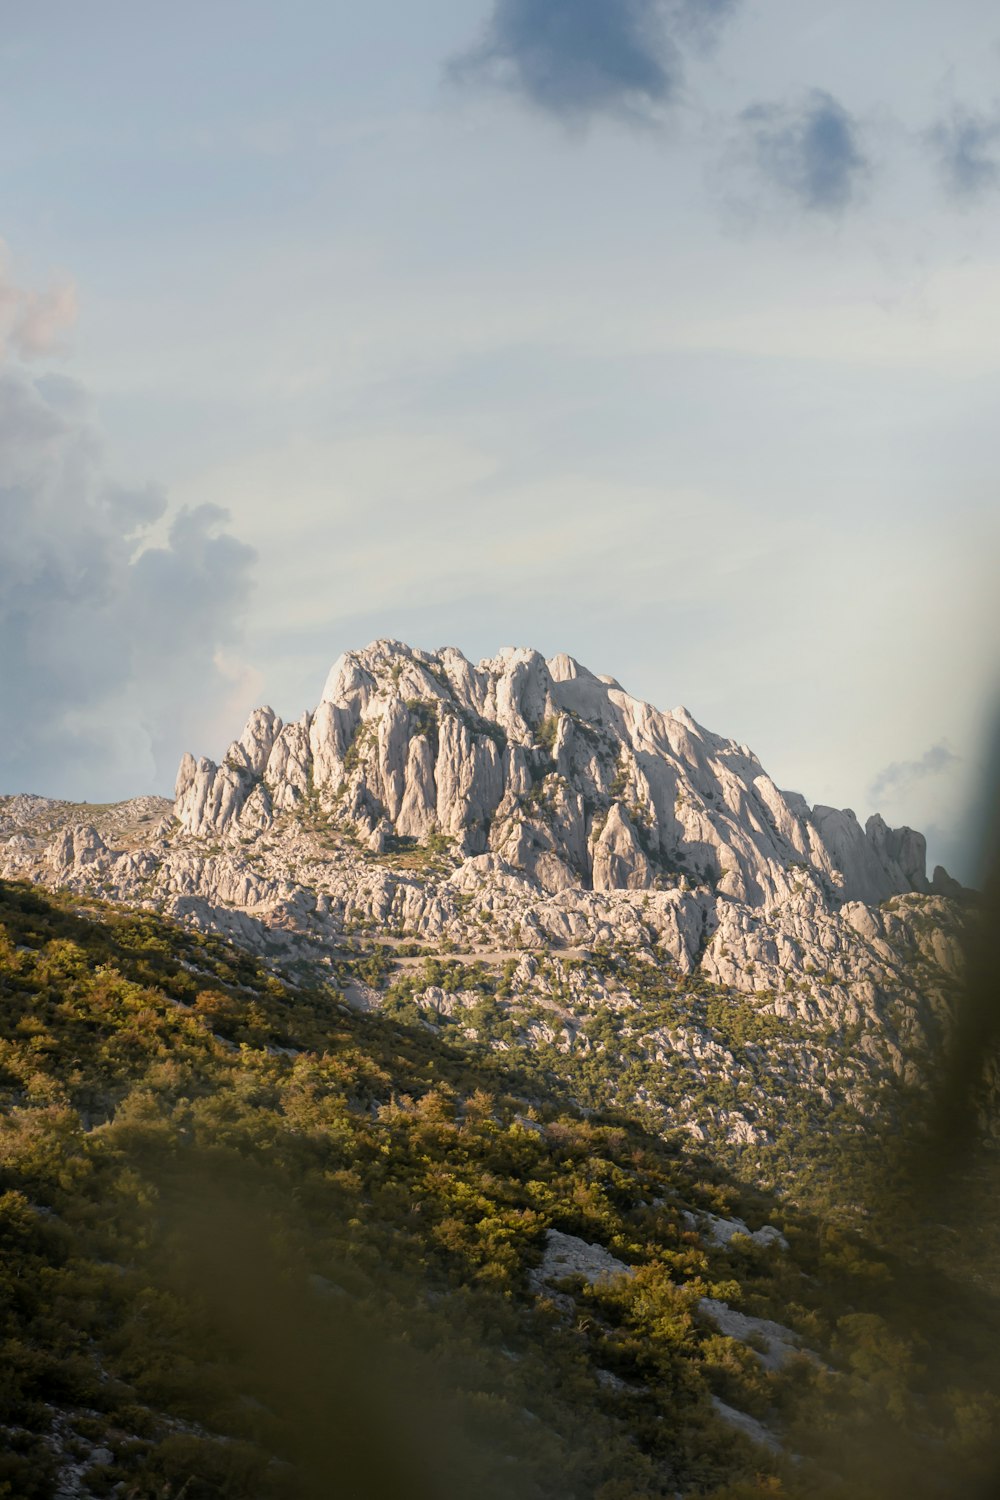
x=254, y=1244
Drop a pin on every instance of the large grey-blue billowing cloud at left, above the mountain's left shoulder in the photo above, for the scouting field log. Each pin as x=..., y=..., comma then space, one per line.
x=118, y=619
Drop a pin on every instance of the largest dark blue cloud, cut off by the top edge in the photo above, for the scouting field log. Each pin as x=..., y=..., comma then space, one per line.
x=578, y=59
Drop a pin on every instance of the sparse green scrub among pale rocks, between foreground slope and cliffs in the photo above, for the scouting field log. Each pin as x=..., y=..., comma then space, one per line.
x=816, y=1144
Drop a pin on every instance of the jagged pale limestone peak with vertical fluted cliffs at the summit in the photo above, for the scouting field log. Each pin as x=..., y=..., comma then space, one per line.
x=560, y=773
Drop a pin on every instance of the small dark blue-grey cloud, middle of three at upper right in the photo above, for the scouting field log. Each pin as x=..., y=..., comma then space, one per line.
x=812, y=154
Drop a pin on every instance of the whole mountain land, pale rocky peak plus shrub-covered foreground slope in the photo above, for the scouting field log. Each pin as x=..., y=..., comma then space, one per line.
x=484, y=1085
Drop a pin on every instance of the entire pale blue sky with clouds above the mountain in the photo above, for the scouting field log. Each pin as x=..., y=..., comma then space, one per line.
x=659, y=332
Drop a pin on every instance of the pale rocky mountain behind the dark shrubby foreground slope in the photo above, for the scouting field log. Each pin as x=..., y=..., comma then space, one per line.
x=644, y=910
